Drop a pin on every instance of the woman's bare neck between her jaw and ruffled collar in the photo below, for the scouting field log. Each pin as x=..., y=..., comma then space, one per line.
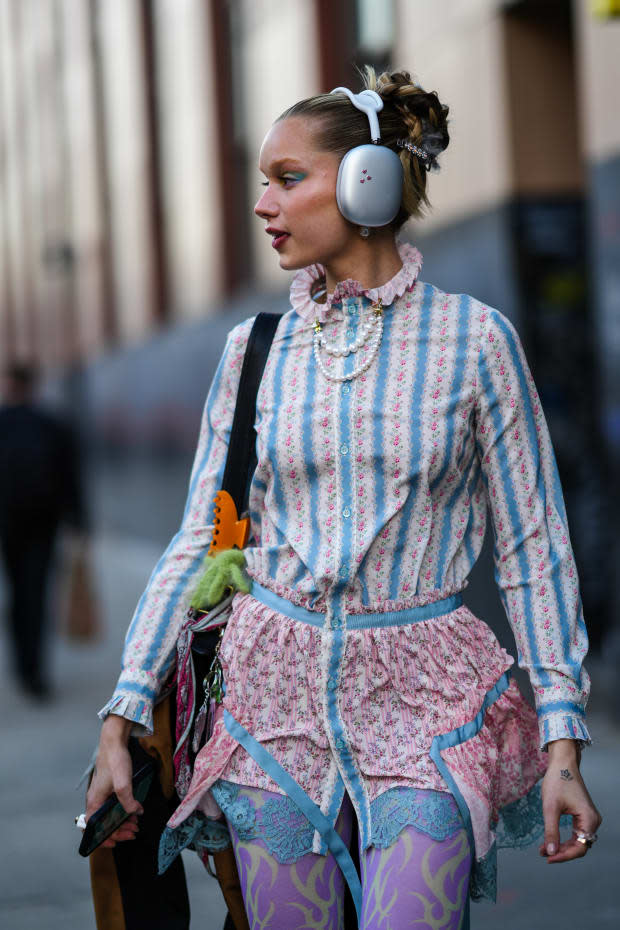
x=372, y=262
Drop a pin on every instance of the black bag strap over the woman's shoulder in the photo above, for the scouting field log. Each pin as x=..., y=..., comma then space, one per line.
x=241, y=458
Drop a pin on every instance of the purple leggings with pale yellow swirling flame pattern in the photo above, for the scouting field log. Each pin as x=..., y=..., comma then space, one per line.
x=417, y=882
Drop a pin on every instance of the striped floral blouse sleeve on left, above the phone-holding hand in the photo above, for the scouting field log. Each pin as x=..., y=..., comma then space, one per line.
x=150, y=643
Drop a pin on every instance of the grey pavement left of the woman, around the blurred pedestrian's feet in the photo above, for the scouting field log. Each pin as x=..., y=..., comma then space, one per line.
x=44, y=884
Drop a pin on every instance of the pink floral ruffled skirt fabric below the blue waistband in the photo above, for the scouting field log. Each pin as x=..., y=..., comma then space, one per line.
x=400, y=687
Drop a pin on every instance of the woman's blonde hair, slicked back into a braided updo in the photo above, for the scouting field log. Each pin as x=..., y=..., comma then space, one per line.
x=409, y=113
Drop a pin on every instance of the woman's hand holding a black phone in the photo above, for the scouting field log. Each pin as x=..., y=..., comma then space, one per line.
x=112, y=773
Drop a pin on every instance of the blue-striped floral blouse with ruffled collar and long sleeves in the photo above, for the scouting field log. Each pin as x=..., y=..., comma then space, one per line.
x=372, y=493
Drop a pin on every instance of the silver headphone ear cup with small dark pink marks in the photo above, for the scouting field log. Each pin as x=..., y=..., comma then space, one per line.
x=369, y=185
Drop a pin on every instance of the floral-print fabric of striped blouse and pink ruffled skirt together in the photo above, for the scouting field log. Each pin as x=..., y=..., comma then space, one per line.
x=372, y=495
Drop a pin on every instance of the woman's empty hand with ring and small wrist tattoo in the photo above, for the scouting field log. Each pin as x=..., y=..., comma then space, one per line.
x=564, y=792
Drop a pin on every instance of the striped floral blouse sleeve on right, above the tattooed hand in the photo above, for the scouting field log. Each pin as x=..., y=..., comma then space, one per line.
x=534, y=564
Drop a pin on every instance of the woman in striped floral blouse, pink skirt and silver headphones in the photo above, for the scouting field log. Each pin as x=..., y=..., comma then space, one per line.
x=390, y=416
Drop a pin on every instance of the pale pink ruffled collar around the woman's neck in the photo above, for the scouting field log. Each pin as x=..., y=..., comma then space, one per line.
x=306, y=280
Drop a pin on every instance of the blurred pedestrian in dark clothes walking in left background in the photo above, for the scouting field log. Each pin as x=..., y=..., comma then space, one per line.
x=40, y=488
